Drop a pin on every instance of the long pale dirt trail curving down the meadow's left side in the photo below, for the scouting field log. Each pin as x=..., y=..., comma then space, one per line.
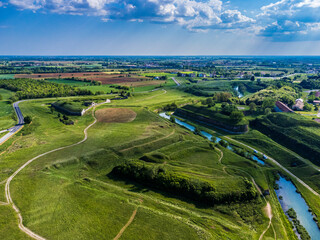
x=7, y=186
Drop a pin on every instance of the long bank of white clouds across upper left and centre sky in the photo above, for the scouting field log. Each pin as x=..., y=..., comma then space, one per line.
x=195, y=15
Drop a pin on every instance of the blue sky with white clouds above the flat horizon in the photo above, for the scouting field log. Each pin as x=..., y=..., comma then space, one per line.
x=159, y=27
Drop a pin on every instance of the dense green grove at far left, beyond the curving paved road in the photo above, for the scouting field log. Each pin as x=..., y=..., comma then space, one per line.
x=29, y=89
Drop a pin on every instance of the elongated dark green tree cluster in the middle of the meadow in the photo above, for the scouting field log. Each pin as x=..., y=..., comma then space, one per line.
x=195, y=189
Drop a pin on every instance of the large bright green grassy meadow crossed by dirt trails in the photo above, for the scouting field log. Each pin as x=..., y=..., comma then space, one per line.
x=87, y=200
